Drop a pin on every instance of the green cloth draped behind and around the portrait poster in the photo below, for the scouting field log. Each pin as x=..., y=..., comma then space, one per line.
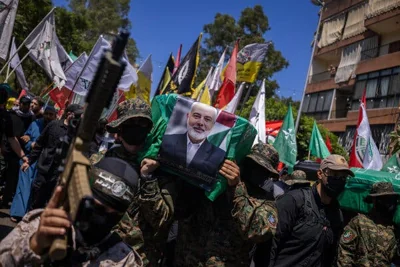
x=239, y=140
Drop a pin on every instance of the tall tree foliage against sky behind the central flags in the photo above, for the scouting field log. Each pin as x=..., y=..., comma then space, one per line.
x=251, y=27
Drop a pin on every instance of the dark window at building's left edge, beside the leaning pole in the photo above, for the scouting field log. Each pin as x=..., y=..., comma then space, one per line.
x=318, y=104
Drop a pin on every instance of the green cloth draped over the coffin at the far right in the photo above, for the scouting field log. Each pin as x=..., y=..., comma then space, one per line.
x=358, y=187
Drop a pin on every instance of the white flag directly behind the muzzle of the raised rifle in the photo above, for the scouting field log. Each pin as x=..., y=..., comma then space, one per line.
x=129, y=76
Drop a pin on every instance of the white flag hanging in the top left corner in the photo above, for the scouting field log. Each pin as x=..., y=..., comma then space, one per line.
x=8, y=11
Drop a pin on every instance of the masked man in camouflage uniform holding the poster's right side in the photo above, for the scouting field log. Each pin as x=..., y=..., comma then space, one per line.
x=253, y=210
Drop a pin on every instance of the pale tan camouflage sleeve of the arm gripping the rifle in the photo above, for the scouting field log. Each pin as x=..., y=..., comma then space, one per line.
x=15, y=248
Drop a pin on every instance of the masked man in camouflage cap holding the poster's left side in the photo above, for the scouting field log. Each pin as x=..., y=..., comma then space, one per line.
x=146, y=225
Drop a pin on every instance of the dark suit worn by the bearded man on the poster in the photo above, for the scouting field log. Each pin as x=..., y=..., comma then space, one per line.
x=207, y=159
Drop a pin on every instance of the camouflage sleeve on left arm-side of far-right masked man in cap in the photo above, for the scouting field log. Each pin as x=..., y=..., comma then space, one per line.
x=348, y=244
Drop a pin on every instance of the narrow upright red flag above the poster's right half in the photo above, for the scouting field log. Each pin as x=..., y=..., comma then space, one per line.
x=227, y=91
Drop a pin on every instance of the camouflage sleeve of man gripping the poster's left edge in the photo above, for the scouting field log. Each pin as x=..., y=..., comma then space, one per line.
x=156, y=203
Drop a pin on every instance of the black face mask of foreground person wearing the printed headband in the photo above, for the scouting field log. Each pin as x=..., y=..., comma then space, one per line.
x=100, y=225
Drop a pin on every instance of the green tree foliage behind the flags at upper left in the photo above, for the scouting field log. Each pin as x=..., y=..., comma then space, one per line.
x=78, y=29
